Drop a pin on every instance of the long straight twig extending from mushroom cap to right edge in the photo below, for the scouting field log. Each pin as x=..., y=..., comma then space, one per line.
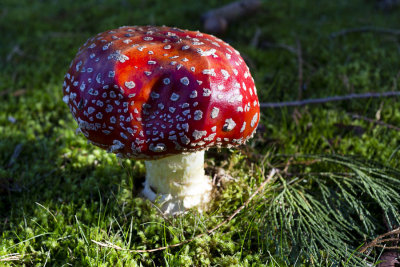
x=328, y=99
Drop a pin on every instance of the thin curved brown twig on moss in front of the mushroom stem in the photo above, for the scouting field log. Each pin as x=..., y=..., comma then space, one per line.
x=208, y=232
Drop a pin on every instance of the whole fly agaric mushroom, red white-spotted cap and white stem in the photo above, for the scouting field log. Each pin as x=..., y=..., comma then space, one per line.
x=164, y=95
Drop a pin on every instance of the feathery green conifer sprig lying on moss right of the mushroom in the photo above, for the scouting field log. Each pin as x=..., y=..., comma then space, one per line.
x=333, y=202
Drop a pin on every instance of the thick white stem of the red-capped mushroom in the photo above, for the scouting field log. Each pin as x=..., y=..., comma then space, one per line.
x=178, y=182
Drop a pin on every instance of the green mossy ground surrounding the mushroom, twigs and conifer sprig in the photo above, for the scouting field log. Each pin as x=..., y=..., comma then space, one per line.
x=57, y=193
